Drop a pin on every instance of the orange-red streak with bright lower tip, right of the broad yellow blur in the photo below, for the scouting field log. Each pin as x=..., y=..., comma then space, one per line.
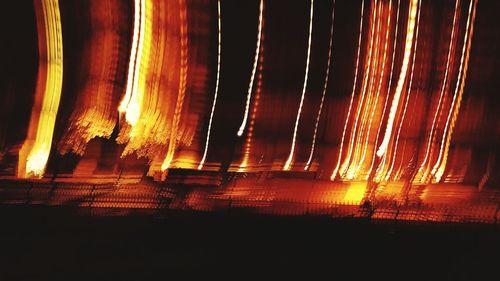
x=174, y=137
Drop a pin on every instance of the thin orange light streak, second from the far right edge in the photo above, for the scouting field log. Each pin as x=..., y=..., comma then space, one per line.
x=424, y=175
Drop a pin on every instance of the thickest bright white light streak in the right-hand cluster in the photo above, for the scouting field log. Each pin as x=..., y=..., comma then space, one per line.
x=402, y=78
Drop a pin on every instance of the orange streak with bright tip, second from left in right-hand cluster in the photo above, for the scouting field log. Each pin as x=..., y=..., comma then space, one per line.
x=364, y=83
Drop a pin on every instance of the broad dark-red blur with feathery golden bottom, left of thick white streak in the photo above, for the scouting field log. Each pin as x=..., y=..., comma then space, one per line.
x=95, y=115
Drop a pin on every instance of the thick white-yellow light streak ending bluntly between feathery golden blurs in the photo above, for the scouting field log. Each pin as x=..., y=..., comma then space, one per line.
x=134, y=94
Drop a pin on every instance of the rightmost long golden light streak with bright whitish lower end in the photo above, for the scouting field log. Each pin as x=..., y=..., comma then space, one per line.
x=440, y=165
